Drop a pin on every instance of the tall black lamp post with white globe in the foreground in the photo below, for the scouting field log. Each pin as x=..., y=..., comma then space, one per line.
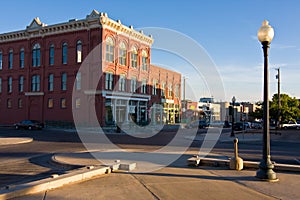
x=265, y=35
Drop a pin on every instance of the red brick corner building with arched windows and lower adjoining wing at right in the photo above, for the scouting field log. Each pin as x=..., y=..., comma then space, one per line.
x=39, y=75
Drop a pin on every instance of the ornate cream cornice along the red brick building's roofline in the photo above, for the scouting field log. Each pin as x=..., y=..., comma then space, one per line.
x=93, y=20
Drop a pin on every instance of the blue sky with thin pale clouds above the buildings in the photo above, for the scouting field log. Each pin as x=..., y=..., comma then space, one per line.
x=225, y=30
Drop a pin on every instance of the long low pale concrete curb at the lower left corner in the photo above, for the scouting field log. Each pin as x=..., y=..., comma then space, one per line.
x=55, y=181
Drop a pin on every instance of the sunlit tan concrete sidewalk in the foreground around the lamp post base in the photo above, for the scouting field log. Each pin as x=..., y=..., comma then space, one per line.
x=178, y=183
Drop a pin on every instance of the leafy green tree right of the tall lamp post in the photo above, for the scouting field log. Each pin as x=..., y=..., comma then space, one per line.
x=289, y=108
